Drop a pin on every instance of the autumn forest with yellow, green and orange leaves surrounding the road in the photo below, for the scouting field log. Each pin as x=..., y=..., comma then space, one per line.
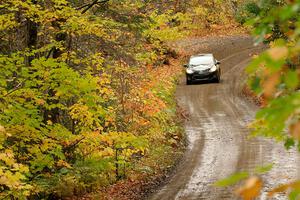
x=87, y=90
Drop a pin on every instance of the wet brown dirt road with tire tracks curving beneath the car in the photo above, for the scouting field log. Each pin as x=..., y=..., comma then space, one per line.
x=217, y=133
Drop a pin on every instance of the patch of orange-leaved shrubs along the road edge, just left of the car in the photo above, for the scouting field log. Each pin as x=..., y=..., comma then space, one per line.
x=143, y=101
